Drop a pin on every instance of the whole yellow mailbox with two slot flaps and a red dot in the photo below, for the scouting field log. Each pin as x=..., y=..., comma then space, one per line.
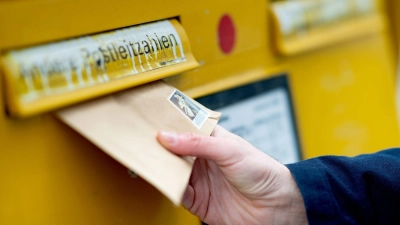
x=337, y=77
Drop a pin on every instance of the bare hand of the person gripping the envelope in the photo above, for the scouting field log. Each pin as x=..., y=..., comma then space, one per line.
x=232, y=182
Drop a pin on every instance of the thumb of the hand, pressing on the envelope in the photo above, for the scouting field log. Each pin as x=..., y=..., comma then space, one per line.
x=219, y=150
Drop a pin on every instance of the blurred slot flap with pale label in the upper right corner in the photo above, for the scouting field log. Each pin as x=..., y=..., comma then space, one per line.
x=306, y=25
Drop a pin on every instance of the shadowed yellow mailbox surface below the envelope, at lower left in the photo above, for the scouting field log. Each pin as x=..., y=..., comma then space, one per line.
x=52, y=175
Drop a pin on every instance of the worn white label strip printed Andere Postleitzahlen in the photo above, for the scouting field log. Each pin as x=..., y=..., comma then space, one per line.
x=90, y=60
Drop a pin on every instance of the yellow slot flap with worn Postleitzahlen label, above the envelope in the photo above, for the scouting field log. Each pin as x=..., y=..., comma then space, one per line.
x=47, y=77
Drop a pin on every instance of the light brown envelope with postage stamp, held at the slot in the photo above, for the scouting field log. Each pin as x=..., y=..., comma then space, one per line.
x=125, y=125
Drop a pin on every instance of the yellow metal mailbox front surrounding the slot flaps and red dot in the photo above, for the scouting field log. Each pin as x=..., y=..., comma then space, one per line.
x=343, y=95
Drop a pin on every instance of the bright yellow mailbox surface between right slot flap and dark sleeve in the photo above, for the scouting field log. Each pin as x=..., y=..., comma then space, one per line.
x=346, y=105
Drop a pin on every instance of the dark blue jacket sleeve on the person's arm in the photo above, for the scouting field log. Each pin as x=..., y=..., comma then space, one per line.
x=360, y=190
